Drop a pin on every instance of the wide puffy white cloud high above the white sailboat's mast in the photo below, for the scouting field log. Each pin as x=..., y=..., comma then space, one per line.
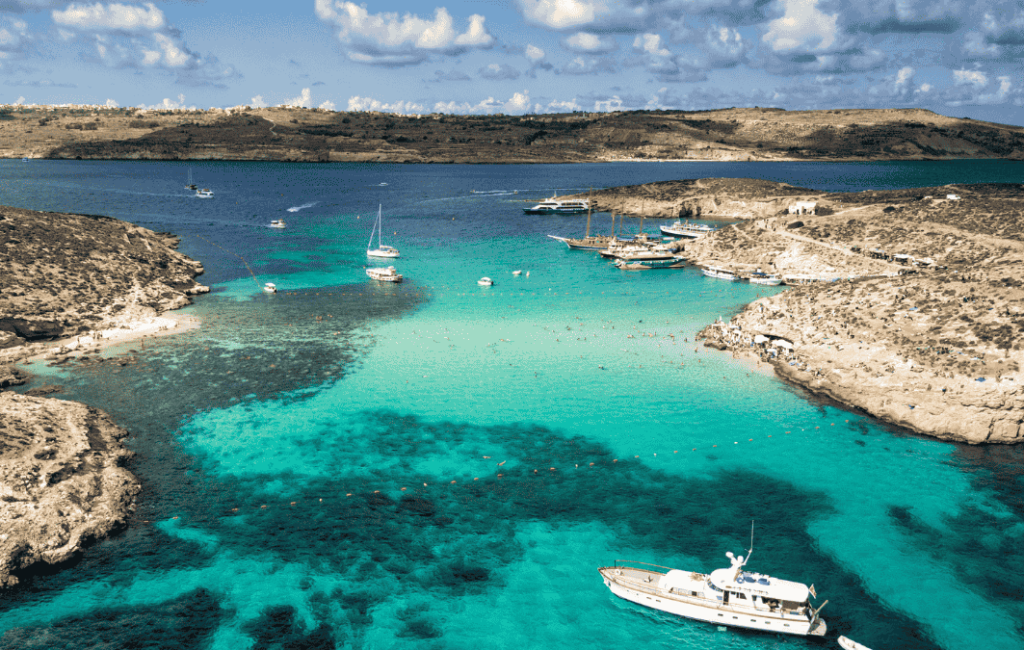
x=388, y=39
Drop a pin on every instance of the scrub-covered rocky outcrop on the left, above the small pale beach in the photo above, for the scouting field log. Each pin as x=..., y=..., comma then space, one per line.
x=66, y=275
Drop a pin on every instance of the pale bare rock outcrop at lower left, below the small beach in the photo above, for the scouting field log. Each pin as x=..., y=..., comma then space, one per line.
x=63, y=484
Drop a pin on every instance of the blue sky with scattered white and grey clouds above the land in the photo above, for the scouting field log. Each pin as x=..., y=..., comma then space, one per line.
x=958, y=58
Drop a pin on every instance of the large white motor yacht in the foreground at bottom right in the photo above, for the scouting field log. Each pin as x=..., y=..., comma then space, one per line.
x=727, y=597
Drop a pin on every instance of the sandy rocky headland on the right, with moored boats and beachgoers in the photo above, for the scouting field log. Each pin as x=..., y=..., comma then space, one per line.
x=914, y=311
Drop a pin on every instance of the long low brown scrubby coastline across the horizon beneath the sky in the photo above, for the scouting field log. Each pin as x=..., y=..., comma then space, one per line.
x=245, y=134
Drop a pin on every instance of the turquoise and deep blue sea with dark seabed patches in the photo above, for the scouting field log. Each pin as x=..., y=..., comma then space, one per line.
x=440, y=465
